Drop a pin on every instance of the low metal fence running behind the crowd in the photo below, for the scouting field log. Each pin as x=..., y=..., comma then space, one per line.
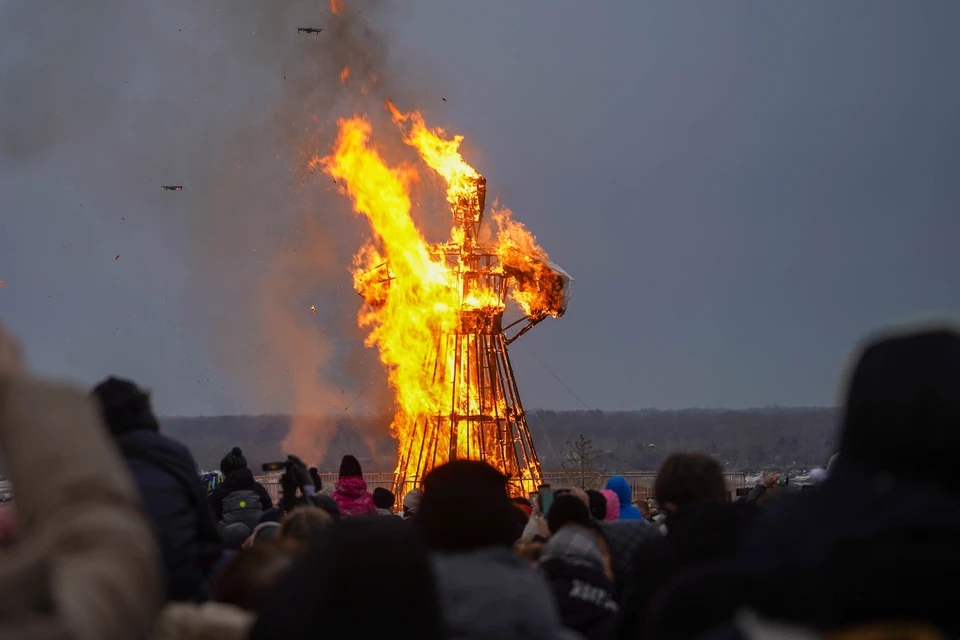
x=641, y=482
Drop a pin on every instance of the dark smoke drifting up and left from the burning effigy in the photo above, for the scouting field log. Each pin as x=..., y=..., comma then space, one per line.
x=227, y=99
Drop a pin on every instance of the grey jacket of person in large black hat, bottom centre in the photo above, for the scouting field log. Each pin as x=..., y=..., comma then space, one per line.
x=490, y=594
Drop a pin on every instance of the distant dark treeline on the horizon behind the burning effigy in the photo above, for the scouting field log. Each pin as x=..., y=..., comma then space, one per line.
x=747, y=440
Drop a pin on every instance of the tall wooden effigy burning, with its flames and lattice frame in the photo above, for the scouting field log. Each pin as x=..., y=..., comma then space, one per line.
x=435, y=312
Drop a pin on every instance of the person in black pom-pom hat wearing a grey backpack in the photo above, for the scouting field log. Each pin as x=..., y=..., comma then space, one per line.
x=239, y=501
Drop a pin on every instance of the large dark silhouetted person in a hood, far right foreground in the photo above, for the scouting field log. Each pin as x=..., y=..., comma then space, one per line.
x=880, y=539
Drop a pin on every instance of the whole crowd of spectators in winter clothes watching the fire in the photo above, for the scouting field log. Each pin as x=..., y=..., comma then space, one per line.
x=113, y=534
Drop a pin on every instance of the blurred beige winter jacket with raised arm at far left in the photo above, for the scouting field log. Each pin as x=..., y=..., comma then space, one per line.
x=84, y=564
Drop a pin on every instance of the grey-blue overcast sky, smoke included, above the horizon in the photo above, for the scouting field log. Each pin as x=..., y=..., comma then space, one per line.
x=741, y=189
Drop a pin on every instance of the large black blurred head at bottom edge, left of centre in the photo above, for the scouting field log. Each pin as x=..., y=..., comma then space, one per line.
x=360, y=567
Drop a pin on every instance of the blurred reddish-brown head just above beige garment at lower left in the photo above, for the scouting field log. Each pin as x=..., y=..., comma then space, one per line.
x=250, y=575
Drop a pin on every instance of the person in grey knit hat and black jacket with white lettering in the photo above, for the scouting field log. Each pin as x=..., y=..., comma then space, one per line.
x=573, y=564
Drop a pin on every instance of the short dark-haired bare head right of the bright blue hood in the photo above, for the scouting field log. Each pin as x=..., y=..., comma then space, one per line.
x=687, y=478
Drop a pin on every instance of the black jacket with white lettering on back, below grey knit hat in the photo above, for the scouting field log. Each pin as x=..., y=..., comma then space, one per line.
x=585, y=598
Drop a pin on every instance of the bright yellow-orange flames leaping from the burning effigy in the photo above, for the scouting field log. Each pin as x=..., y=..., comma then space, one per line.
x=419, y=298
